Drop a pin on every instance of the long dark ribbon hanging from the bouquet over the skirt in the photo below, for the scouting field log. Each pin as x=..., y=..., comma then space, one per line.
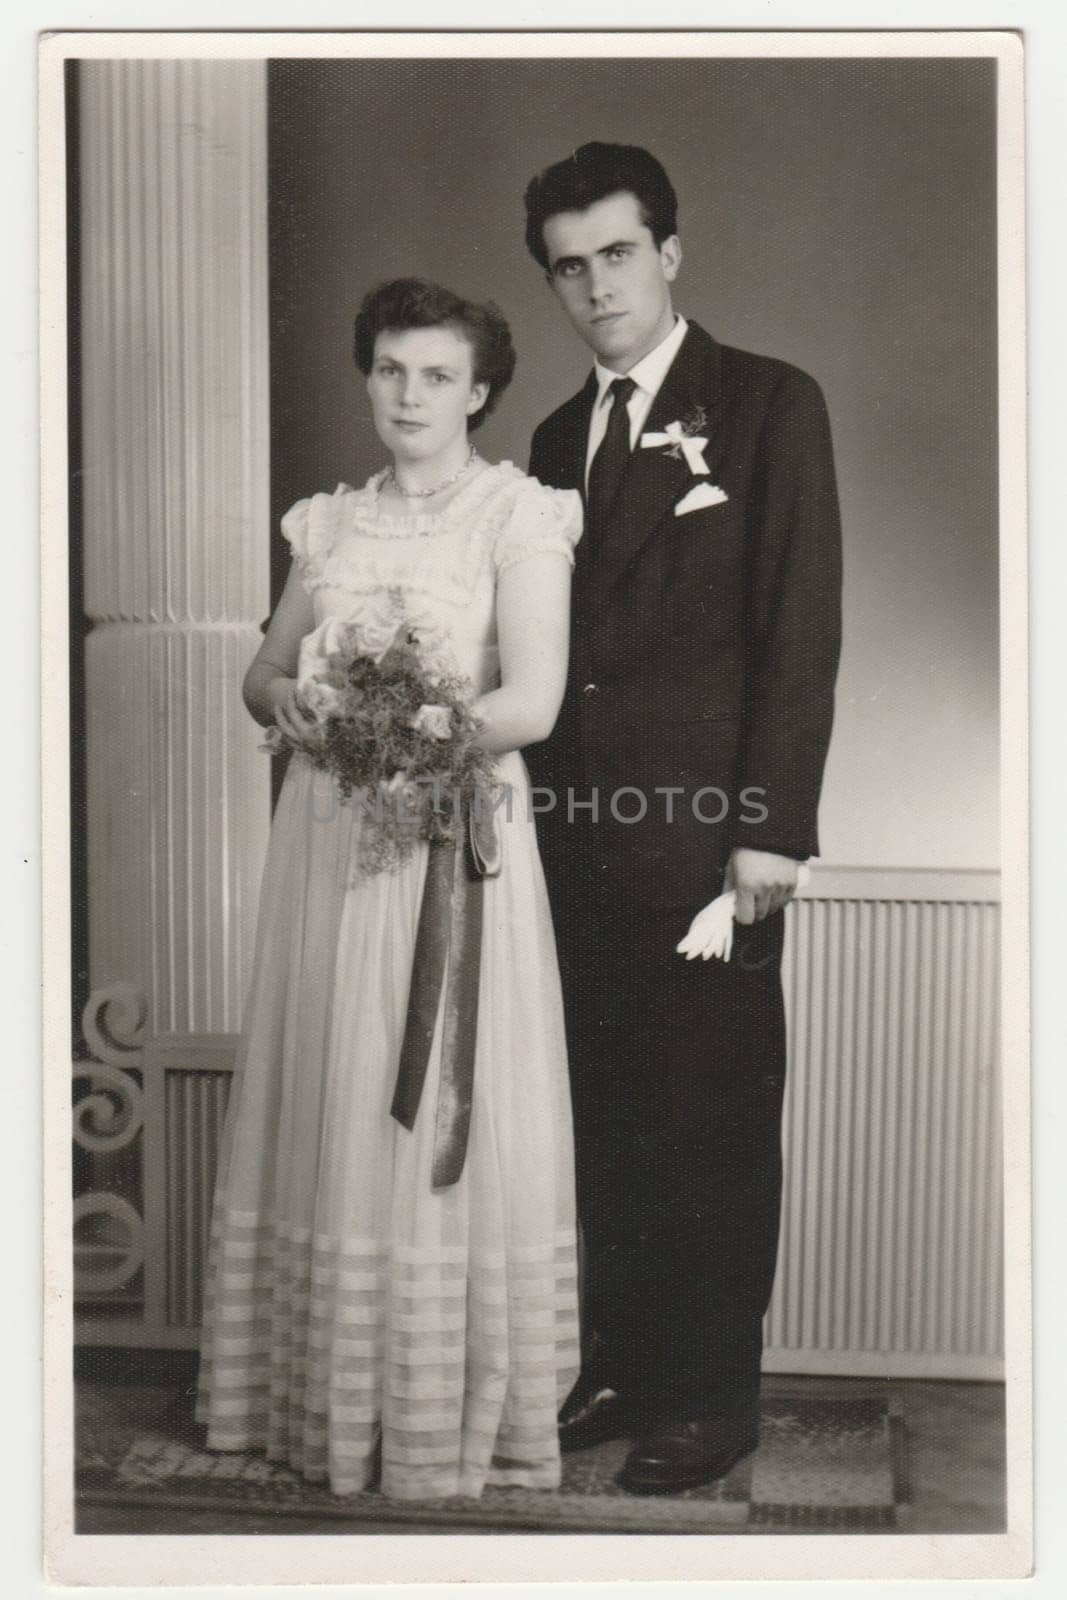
x=449, y=940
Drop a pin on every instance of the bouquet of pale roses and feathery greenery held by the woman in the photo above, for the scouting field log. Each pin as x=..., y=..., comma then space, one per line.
x=396, y=730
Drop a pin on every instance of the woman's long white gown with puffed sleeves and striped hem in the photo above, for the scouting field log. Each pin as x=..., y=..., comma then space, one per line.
x=348, y=1300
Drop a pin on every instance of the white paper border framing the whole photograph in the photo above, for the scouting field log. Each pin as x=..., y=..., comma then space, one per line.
x=538, y=1558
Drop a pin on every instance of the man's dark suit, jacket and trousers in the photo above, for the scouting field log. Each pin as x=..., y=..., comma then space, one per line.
x=703, y=658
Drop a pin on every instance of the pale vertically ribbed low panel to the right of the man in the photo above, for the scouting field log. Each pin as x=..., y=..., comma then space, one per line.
x=892, y=1218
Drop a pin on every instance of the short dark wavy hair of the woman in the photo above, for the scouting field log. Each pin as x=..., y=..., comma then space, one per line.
x=417, y=303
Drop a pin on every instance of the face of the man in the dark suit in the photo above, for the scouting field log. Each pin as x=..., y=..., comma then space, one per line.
x=613, y=279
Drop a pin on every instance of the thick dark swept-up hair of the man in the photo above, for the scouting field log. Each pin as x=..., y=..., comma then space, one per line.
x=593, y=174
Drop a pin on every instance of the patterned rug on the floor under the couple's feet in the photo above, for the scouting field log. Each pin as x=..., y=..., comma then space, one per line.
x=825, y=1465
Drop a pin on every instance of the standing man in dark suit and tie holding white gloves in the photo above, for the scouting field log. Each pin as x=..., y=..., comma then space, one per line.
x=687, y=761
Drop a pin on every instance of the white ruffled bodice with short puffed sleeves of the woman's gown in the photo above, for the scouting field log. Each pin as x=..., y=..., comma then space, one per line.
x=361, y=559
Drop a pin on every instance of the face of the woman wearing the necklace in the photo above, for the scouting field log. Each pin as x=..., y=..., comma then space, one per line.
x=423, y=391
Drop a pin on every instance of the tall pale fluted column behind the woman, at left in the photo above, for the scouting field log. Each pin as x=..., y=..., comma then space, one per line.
x=175, y=393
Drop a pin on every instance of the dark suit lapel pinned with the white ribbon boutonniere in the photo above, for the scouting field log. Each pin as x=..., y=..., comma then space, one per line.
x=655, y=481
